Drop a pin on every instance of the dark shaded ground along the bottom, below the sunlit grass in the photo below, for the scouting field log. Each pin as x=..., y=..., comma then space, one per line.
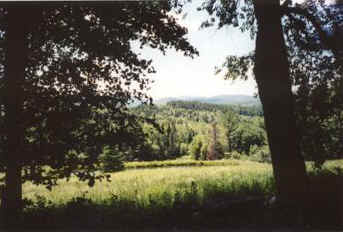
x=219, y=210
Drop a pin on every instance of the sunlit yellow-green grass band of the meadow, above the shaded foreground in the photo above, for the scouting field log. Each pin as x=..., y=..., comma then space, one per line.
x=229, y=177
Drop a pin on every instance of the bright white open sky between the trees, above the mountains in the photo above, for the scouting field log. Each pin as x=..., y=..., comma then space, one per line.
x=182, y=76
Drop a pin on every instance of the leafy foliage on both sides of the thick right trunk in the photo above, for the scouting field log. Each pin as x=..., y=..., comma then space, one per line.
x=313, y=35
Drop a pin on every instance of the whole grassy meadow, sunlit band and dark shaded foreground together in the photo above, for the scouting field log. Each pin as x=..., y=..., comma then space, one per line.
x=213, y=194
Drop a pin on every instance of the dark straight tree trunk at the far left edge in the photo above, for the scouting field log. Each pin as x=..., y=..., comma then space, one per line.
x=15, y=63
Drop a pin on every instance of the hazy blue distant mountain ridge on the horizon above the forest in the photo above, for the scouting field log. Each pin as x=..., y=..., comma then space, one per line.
x=220, y=99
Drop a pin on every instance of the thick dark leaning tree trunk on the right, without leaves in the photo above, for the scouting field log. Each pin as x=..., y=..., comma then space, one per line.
x=274, y=86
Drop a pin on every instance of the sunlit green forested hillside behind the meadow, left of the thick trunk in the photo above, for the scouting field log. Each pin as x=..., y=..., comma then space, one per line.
x=201, y=130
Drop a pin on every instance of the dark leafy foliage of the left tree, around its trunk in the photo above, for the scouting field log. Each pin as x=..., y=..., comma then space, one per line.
x=82, y=73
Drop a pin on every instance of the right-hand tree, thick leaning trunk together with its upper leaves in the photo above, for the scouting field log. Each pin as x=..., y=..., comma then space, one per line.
x=264, y=20
